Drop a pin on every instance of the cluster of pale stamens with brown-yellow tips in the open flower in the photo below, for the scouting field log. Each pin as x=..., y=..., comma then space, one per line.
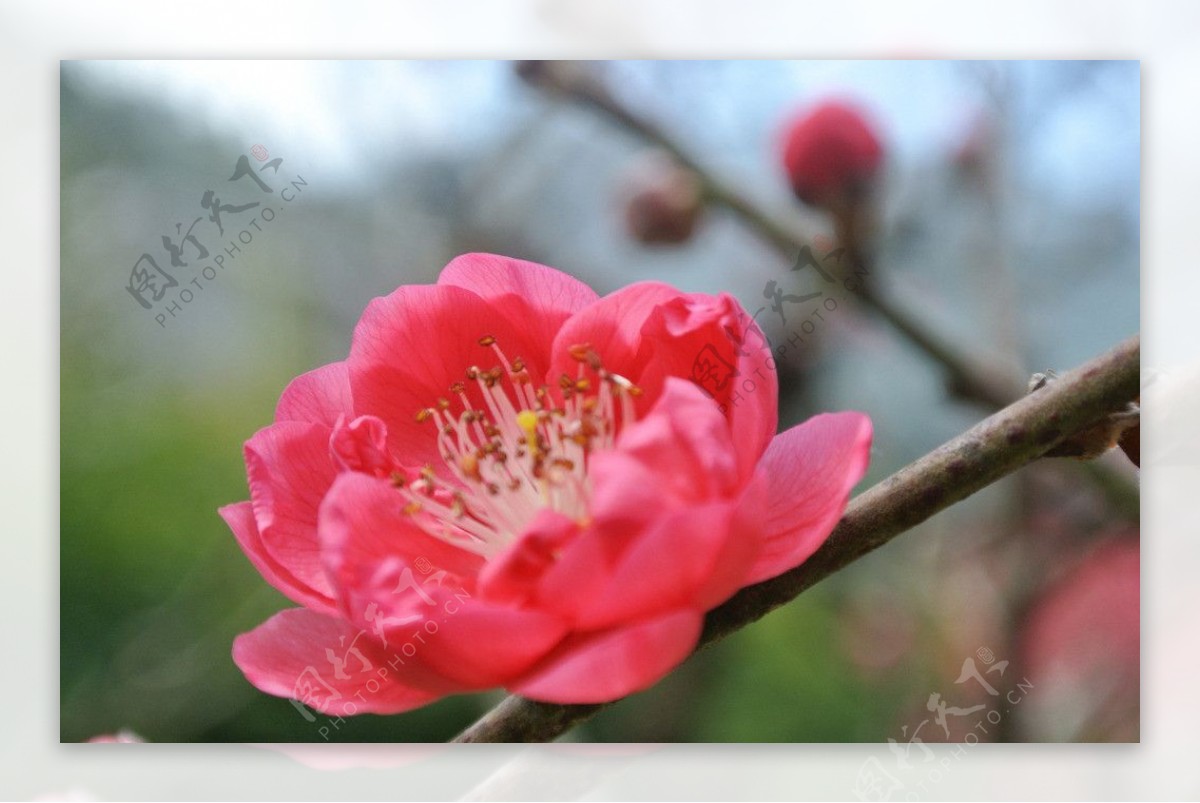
x=527, y=450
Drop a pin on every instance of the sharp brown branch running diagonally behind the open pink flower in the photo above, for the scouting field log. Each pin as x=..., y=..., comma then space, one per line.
x=991, y=451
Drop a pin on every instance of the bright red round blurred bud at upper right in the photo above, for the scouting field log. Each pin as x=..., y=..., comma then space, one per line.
x=831, y=153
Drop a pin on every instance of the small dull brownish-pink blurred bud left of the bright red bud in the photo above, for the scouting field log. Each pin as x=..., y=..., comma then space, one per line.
x=663, y=201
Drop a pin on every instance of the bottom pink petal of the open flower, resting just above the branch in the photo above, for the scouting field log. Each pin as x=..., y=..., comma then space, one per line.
x=611, y=664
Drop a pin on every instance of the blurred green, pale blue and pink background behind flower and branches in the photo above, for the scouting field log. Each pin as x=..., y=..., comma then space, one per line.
x=1003, y=212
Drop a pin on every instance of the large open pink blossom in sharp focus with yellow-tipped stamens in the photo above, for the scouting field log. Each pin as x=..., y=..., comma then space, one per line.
x=512, y=482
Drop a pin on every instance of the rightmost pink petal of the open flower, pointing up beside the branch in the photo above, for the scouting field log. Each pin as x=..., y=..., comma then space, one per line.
x=812, y=470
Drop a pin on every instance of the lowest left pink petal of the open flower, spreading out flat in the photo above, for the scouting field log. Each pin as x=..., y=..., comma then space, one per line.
x=301, y=655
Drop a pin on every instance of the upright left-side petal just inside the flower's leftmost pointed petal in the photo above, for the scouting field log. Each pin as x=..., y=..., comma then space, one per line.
x=291, y=470
